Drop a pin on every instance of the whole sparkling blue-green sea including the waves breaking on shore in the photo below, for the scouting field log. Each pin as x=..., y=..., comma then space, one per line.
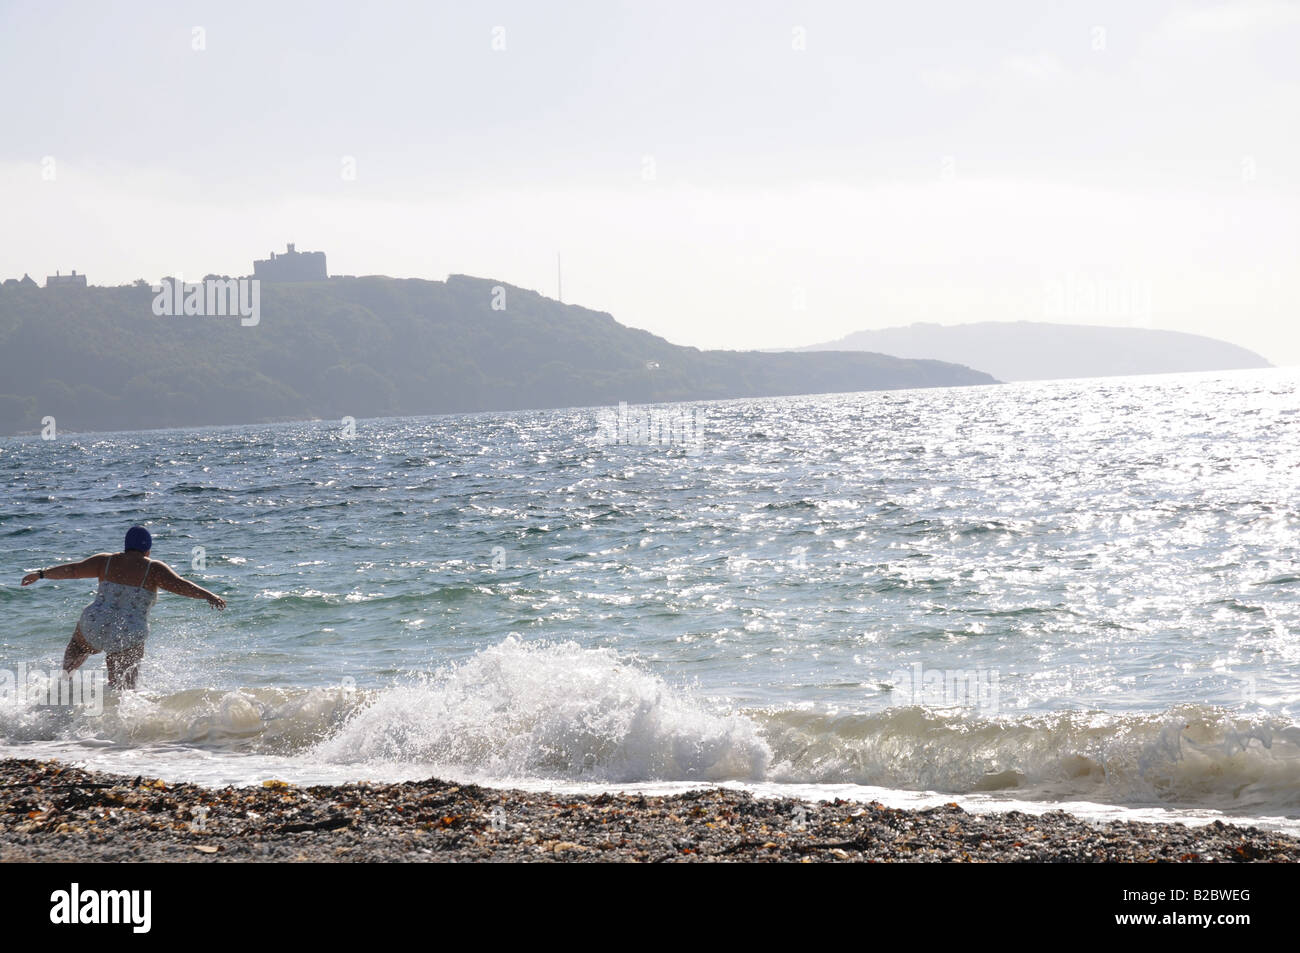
x=1074, y=595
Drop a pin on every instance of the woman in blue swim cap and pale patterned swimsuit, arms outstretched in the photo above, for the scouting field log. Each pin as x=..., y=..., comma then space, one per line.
x=118, y=622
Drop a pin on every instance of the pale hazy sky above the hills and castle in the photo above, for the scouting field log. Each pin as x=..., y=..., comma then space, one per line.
x=726, y=175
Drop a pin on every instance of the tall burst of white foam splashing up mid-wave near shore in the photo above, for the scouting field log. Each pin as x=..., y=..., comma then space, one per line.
x=552, y=711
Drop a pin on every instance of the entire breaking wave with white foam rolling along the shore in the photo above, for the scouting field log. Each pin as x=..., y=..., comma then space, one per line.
x=558, y=713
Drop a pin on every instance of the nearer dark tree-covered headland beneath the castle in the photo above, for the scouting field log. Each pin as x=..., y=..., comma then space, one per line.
x=101, y=359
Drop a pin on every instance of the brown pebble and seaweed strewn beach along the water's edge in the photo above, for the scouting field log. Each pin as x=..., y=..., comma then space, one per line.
x=53, y=812
